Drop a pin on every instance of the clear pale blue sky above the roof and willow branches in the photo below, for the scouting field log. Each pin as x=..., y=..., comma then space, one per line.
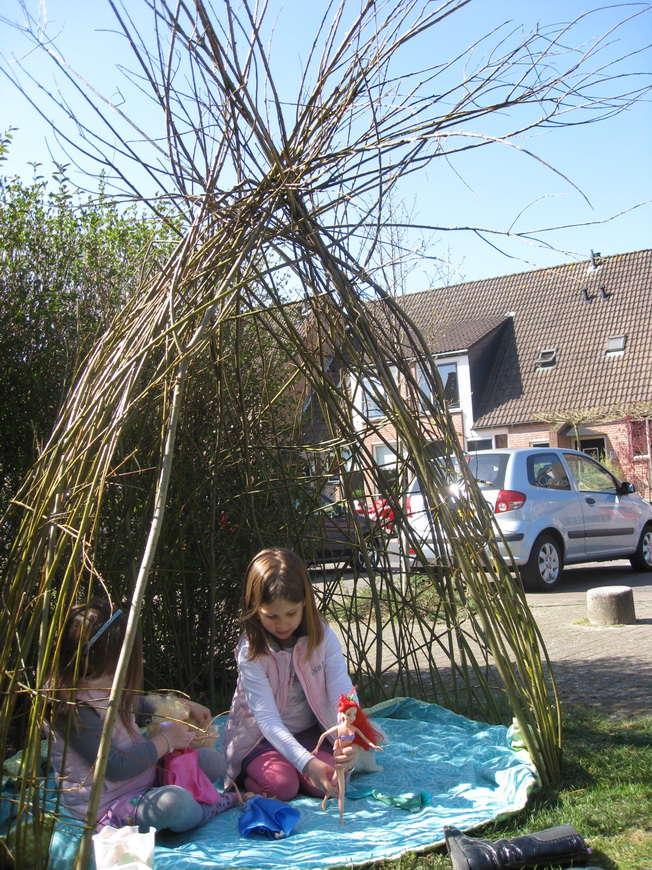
x=497, y=188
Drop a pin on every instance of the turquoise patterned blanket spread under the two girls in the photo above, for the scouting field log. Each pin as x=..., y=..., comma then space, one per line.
x=455, y=770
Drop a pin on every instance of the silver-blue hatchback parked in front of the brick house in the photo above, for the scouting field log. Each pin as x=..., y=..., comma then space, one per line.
x=554, y=507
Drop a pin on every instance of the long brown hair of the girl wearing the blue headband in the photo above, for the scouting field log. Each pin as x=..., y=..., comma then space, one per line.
x=89, y=649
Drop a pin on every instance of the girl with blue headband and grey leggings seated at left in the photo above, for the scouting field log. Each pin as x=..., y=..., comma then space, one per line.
x=80, y=688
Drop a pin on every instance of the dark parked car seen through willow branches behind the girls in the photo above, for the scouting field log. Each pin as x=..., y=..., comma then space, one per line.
x=329, y=533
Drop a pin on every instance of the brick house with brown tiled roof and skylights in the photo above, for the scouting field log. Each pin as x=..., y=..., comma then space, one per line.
x=559, y=356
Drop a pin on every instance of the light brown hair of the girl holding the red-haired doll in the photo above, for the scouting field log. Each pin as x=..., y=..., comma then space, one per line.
x=274, y=575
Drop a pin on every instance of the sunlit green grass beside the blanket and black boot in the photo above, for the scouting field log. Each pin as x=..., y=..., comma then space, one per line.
x=605, y=792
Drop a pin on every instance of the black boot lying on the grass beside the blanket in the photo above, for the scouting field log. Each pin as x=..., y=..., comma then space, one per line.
x=558, y=846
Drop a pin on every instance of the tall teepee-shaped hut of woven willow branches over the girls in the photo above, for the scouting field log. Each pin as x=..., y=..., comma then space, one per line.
x=233, y=378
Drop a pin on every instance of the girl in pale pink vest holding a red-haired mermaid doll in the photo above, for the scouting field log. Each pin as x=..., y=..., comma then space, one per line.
x=291, y=673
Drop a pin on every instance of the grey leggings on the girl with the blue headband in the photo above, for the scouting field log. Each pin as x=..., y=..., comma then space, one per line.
x=172, y=807
